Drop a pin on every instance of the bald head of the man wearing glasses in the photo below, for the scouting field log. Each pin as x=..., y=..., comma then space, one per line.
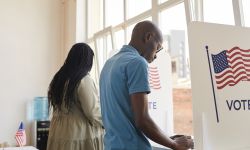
x=146, y=39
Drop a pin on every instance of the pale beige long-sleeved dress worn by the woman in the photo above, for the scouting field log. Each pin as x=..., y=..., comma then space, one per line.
x=82, y=128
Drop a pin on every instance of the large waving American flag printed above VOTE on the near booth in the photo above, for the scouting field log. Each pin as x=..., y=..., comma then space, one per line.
x=231, y=66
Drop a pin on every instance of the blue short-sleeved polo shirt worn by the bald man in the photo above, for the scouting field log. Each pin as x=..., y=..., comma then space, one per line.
x=122, y=75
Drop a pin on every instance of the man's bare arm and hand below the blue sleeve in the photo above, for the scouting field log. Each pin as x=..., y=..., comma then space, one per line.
x=143, y=121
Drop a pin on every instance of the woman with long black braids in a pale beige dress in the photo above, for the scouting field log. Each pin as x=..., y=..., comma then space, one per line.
x=76, y=123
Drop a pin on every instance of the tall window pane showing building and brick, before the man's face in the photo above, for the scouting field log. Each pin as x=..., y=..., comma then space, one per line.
x=173, y=27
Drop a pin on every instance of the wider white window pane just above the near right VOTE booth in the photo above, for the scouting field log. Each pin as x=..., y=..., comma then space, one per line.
x=218, y=11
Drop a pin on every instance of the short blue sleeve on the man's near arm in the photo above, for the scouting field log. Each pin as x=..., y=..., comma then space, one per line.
x=137, y=76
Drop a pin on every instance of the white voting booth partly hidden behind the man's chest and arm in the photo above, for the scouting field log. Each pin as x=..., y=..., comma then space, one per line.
x=160, y=100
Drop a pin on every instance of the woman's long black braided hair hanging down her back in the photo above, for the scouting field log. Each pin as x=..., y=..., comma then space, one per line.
x=63, y=87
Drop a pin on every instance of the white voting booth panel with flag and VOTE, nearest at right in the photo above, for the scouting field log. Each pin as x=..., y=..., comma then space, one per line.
x=220, y=77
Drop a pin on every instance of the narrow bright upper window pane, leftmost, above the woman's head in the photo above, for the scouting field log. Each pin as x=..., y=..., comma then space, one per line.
x=95, y=17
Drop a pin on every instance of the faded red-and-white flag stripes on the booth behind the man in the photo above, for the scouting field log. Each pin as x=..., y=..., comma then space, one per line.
x=154, y=78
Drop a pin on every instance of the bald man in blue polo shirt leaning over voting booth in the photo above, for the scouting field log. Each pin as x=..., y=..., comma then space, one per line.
x=123, y=92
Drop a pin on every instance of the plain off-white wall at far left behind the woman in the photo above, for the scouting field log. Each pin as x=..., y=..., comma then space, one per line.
x=31, y=35
